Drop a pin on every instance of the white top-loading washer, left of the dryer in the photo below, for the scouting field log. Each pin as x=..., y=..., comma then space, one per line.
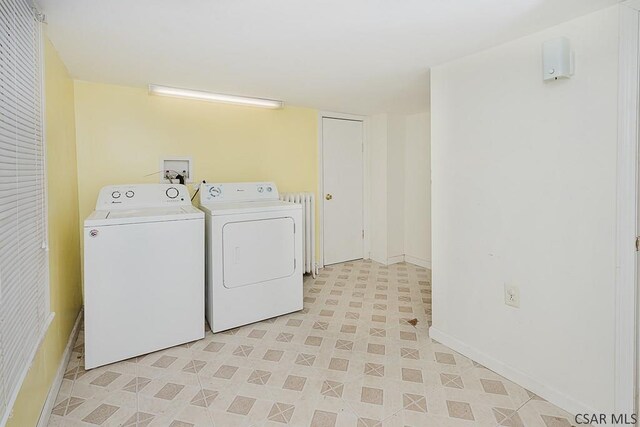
x=143, y=272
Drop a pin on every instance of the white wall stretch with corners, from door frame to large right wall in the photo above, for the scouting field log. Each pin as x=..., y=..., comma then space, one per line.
x=400, y=189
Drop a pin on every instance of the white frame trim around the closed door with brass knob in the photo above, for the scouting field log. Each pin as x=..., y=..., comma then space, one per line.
x=366, y=193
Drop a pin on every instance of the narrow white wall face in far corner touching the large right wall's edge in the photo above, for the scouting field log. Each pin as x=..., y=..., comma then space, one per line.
x=417, y=194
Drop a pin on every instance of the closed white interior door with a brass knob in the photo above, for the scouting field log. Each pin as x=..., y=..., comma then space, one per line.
x=342, y=182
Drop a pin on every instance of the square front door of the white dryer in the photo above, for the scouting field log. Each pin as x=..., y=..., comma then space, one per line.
x=257, y=251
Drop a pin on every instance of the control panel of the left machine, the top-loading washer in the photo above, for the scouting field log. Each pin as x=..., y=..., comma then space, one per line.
x=134, y=196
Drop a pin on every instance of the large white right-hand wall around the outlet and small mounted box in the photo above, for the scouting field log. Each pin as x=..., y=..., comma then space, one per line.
x=524, y=193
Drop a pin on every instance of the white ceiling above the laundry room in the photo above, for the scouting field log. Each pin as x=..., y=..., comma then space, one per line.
x=355, y=56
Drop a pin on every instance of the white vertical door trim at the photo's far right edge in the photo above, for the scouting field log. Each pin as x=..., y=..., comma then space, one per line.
x=627, y=193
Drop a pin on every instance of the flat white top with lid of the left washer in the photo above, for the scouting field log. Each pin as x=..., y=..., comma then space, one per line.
x=142, y=215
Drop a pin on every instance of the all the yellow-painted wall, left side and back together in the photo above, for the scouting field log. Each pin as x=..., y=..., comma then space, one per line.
x=119, y=135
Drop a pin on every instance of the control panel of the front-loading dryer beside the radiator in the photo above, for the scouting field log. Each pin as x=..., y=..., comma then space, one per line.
x=238, y=192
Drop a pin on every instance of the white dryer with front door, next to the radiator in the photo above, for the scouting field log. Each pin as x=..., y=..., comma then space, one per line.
x=253, y=256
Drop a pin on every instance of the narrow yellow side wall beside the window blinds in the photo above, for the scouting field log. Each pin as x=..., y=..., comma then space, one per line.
x=64, y=243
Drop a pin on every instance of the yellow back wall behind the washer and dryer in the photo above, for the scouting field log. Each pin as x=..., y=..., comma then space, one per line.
x=122, y=133
